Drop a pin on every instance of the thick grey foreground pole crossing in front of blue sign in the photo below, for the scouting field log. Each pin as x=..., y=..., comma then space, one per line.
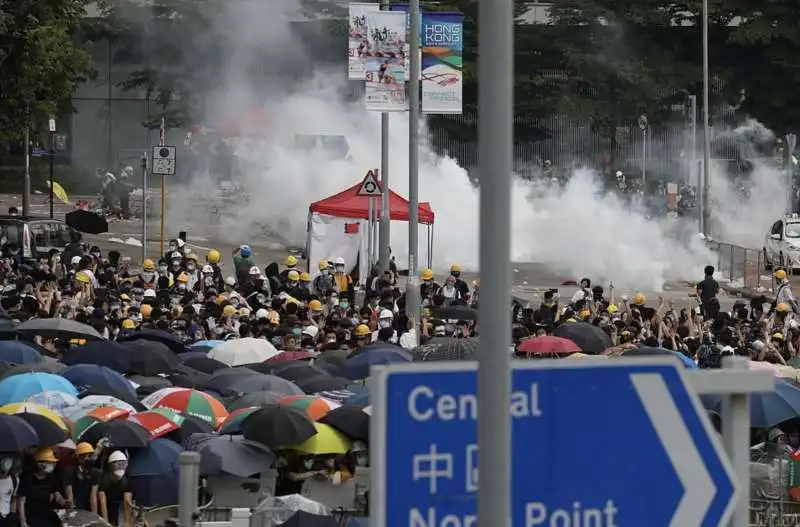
x=495, y=150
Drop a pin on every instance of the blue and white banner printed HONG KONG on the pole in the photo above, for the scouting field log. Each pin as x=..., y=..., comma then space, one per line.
x=442, y=72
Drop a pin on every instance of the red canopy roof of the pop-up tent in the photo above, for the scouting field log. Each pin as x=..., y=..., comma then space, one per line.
x=348, y=204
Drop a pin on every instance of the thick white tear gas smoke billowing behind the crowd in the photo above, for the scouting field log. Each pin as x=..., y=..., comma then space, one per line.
x=578, y=230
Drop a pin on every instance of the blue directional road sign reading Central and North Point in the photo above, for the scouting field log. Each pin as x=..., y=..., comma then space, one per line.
x=611, y=443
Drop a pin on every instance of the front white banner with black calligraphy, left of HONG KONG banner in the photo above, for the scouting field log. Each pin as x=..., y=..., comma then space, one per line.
x=384, y=54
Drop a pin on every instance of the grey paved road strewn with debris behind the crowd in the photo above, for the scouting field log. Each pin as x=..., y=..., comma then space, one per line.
x=530, y=279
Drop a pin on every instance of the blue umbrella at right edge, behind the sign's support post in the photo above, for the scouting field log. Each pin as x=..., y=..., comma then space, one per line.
x=766, y=409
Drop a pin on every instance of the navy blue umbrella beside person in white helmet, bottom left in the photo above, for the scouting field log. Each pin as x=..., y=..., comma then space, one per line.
x=153, y=473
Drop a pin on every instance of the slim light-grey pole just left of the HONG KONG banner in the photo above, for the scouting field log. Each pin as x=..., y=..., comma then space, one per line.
x=413, y=299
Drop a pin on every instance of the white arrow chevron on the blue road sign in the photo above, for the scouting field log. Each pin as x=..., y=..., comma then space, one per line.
x=698, y=487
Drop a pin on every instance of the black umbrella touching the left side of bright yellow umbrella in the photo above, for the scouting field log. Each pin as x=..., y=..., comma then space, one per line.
x=276, y=425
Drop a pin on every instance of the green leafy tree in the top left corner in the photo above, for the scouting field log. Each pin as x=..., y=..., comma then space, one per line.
x=40, y=62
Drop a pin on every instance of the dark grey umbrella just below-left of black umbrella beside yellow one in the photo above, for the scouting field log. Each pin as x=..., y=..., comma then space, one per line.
x=233, y=455
